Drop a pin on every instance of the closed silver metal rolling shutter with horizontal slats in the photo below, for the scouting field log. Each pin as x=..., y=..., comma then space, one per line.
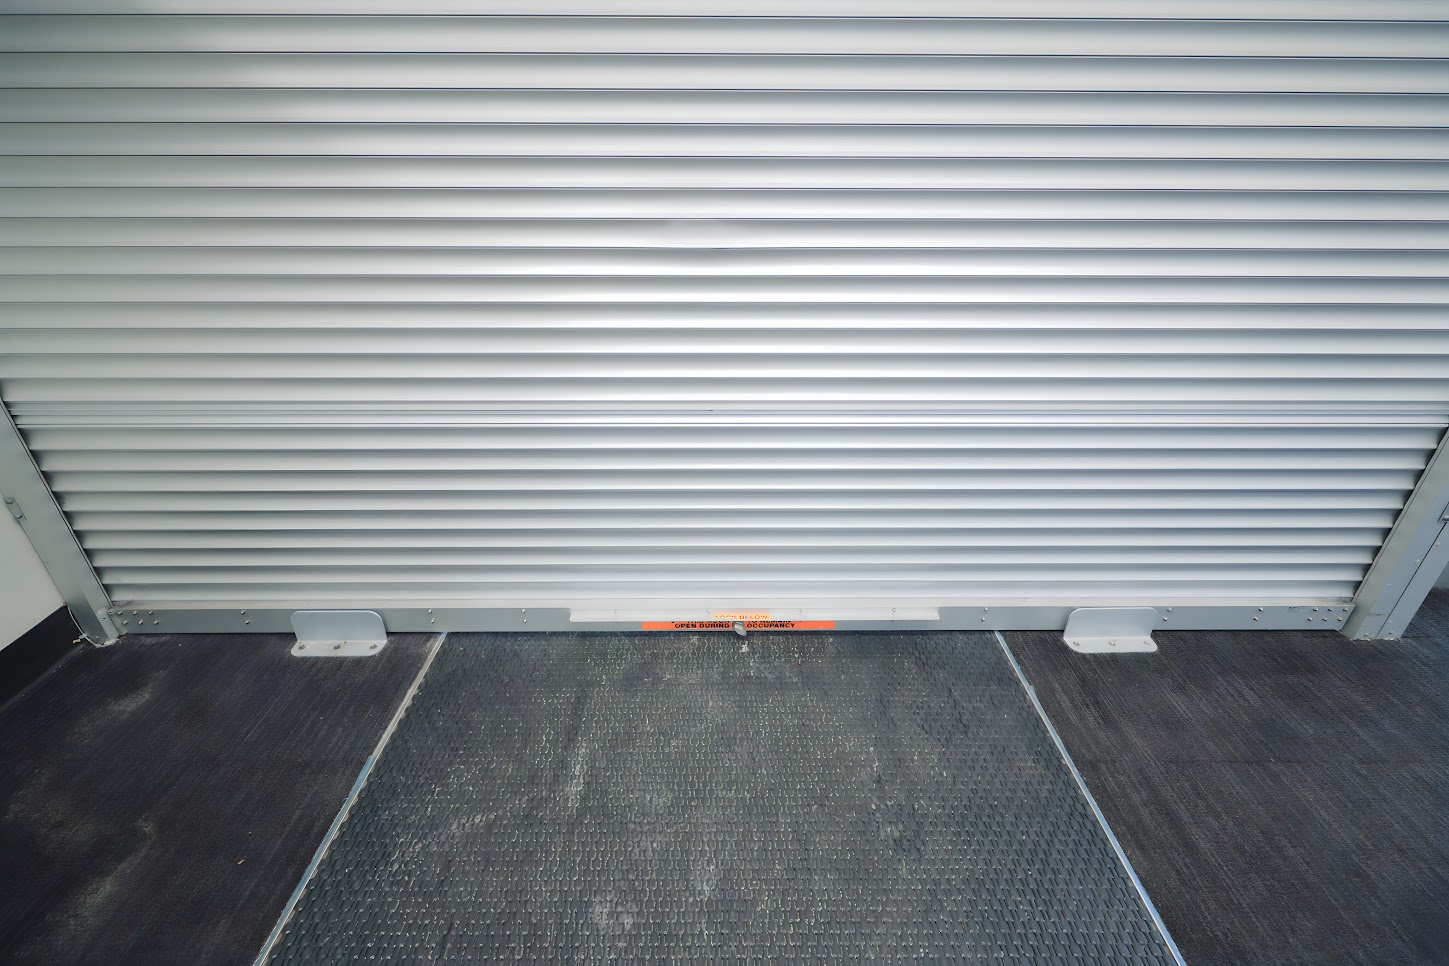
x=856, y=309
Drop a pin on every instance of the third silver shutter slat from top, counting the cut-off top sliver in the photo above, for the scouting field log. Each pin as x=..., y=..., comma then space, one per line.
x=666, y=72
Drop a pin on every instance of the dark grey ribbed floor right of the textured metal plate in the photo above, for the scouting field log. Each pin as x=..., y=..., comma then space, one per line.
x=1285, y=797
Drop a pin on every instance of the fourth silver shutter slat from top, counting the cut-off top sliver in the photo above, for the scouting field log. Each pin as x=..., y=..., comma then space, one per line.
x=724, y=108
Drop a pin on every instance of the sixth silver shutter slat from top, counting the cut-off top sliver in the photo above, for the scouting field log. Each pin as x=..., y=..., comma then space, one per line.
x=1076, y=175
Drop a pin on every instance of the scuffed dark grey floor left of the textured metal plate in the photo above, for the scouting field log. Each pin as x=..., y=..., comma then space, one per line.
x=162, y=799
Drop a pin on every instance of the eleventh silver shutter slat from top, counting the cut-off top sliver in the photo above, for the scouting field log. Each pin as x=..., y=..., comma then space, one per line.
x=369, y=319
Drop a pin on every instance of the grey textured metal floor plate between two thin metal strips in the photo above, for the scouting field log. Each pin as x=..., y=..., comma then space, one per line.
x=669, y=797
